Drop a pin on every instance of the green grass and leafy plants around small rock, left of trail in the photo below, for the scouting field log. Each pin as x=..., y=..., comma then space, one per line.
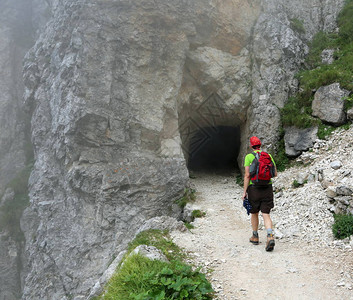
x=142, y=279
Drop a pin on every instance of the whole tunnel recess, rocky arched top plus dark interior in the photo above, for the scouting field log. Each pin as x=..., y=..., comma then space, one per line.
x=211, y=133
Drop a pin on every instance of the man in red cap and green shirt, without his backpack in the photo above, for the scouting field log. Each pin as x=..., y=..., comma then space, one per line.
x=260, y=197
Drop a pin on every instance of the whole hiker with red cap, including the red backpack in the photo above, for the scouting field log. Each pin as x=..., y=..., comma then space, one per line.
x=259, y=192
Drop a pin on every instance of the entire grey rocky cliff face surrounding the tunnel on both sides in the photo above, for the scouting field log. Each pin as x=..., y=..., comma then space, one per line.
x=116, y=91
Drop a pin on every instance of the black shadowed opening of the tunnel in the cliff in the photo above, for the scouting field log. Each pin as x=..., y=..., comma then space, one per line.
x=215, y=149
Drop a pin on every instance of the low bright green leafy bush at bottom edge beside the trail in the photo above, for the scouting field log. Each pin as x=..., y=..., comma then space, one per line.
x=143, y=279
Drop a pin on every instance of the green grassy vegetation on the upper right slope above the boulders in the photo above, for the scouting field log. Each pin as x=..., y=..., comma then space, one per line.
x=297, y=111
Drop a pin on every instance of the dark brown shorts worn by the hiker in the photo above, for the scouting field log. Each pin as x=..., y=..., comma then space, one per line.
x=260, y=198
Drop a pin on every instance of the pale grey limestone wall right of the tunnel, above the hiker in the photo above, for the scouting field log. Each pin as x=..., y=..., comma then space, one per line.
x=278, y=50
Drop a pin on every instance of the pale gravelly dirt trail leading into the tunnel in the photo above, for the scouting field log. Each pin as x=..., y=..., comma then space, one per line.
x=240, y=270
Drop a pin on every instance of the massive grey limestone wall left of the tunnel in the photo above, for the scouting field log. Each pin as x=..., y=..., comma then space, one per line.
x=100, y=82
